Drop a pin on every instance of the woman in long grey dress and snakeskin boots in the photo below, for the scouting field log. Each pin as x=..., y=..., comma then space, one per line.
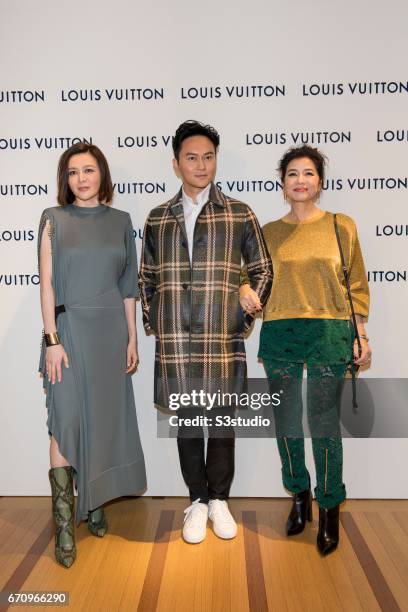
x=88, y=280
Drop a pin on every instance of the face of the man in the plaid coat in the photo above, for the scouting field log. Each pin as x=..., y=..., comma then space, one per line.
x=197, y=163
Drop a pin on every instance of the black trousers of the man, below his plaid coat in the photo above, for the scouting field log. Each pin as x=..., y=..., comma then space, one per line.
x=206, y=477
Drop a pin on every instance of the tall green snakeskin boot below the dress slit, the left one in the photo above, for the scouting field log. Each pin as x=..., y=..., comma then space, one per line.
x=63, y=513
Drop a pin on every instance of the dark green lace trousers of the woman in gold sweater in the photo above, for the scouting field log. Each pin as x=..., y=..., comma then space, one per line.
x=324, y=388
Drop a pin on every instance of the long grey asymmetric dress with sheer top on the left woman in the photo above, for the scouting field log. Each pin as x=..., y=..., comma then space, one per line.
x=91, y=413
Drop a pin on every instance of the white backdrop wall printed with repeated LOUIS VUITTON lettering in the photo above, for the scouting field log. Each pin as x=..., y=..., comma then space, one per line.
x=125, y=74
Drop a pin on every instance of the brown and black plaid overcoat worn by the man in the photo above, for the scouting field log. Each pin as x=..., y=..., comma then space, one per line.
x=194, y=310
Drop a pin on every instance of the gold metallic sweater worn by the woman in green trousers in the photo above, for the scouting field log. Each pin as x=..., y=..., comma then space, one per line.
x=308, y=279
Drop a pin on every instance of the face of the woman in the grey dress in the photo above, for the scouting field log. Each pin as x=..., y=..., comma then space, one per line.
x=84, y=179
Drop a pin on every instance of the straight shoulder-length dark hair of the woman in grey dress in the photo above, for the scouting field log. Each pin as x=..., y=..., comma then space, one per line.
x=65, y=195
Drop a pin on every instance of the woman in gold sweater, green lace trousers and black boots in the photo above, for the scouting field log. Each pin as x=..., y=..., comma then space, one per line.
x=307, y=321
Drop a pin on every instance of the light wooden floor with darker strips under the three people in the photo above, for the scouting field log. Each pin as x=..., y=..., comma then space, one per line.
x=143, y=564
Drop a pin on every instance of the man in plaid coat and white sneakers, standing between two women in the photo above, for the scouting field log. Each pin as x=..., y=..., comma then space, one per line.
x=193, y=246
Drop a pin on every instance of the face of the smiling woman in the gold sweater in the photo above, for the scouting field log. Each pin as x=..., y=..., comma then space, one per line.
x=302, y=182
